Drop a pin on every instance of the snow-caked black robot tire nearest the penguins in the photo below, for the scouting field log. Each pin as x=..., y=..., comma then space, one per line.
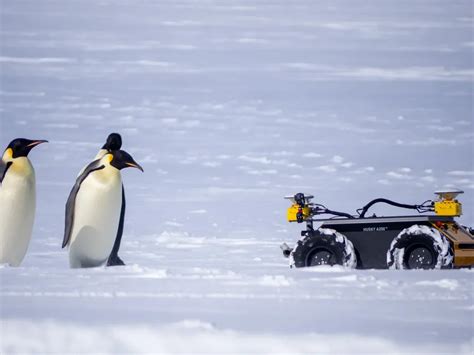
x=323, y=247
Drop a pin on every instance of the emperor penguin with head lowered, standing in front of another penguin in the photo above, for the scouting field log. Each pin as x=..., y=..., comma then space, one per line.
x=93, y=210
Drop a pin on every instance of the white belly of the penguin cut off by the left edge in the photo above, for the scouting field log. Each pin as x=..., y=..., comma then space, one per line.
x=17, y=213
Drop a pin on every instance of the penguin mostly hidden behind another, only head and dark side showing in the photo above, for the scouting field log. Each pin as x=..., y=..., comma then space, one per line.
x=113, y=143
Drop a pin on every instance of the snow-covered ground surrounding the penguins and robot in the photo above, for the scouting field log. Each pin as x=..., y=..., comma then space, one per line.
x=229, y=106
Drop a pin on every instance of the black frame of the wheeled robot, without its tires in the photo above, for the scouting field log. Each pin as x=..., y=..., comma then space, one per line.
x=371, y=236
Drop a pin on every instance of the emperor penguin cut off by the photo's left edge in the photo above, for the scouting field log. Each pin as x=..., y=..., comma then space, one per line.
x=17, y=200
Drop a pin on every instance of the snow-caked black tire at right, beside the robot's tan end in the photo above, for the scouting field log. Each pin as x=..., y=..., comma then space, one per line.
x=420, y=247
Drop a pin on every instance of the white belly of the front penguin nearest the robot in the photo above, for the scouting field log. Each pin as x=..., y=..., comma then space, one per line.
x=96, y=220
